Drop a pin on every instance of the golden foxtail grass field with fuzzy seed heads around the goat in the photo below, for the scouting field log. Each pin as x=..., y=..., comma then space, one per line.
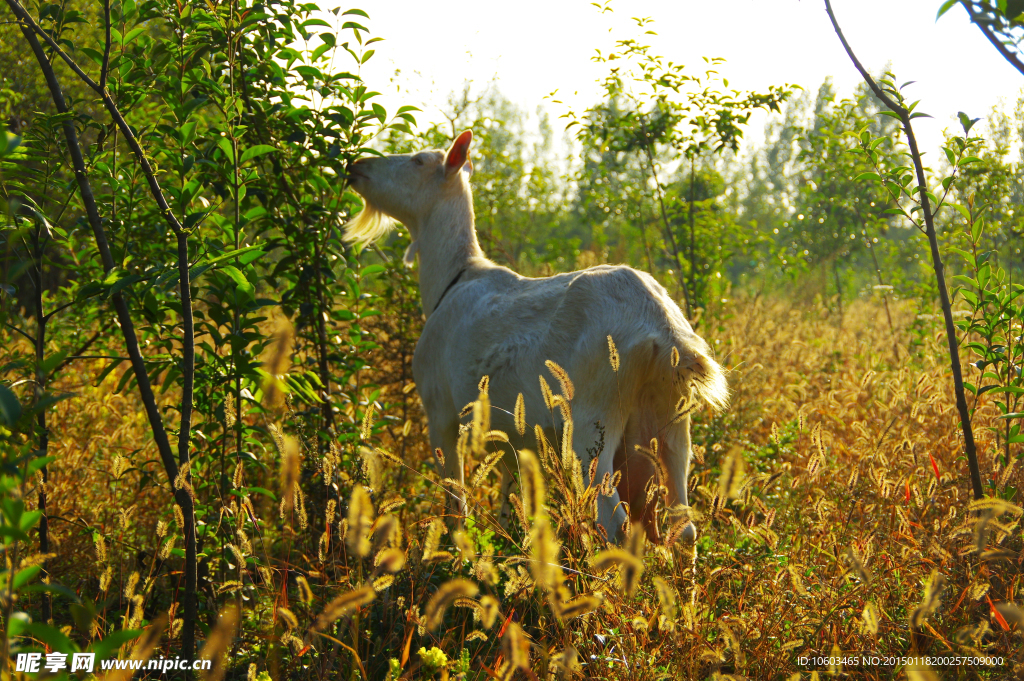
x=833, y=506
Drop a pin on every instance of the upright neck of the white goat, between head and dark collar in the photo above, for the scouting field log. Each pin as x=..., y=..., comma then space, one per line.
x=447, y=244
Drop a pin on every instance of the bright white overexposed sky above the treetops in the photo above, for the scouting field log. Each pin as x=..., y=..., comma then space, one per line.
x=534, y=48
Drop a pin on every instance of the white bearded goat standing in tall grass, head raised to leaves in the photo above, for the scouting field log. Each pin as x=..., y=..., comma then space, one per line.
x=484, y=320
